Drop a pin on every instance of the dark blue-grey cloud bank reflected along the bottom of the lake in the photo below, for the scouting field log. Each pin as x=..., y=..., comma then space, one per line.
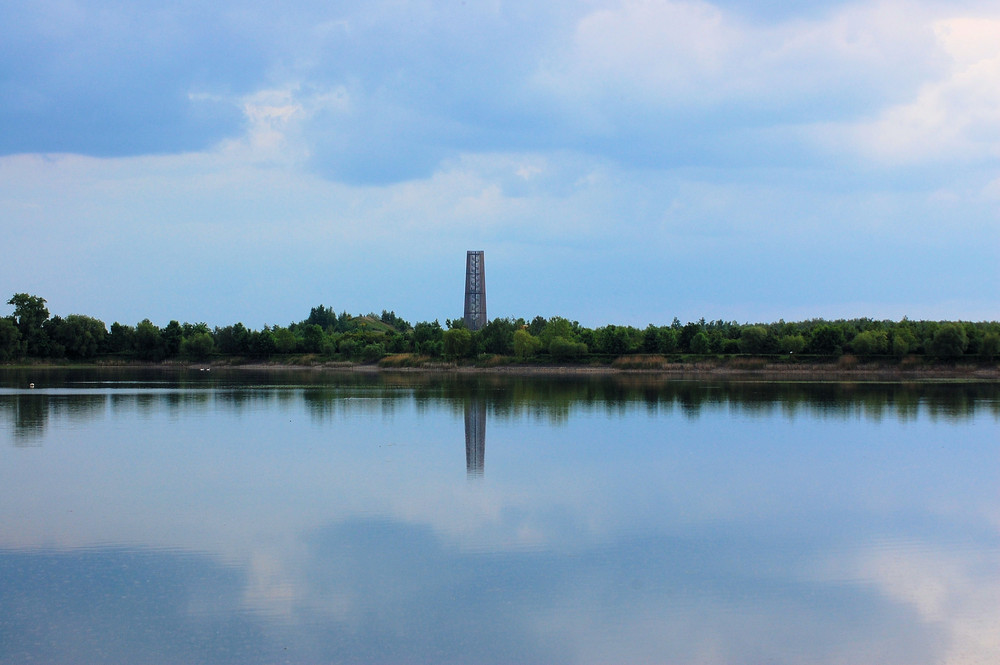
x=379, y=590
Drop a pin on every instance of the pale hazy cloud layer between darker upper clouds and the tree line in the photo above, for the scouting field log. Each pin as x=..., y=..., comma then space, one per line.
x=271, y=240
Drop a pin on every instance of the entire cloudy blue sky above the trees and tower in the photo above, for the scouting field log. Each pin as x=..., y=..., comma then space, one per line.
x=621, y=162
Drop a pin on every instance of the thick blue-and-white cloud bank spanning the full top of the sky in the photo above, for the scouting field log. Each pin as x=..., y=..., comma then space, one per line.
x=648, y=83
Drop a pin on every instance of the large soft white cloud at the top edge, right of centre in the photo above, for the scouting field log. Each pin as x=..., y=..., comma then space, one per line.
x=692, y=54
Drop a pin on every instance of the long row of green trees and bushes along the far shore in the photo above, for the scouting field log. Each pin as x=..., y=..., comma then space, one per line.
x=30, y=332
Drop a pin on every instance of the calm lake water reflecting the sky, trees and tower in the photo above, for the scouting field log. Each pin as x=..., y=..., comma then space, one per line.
x=210, y=517
